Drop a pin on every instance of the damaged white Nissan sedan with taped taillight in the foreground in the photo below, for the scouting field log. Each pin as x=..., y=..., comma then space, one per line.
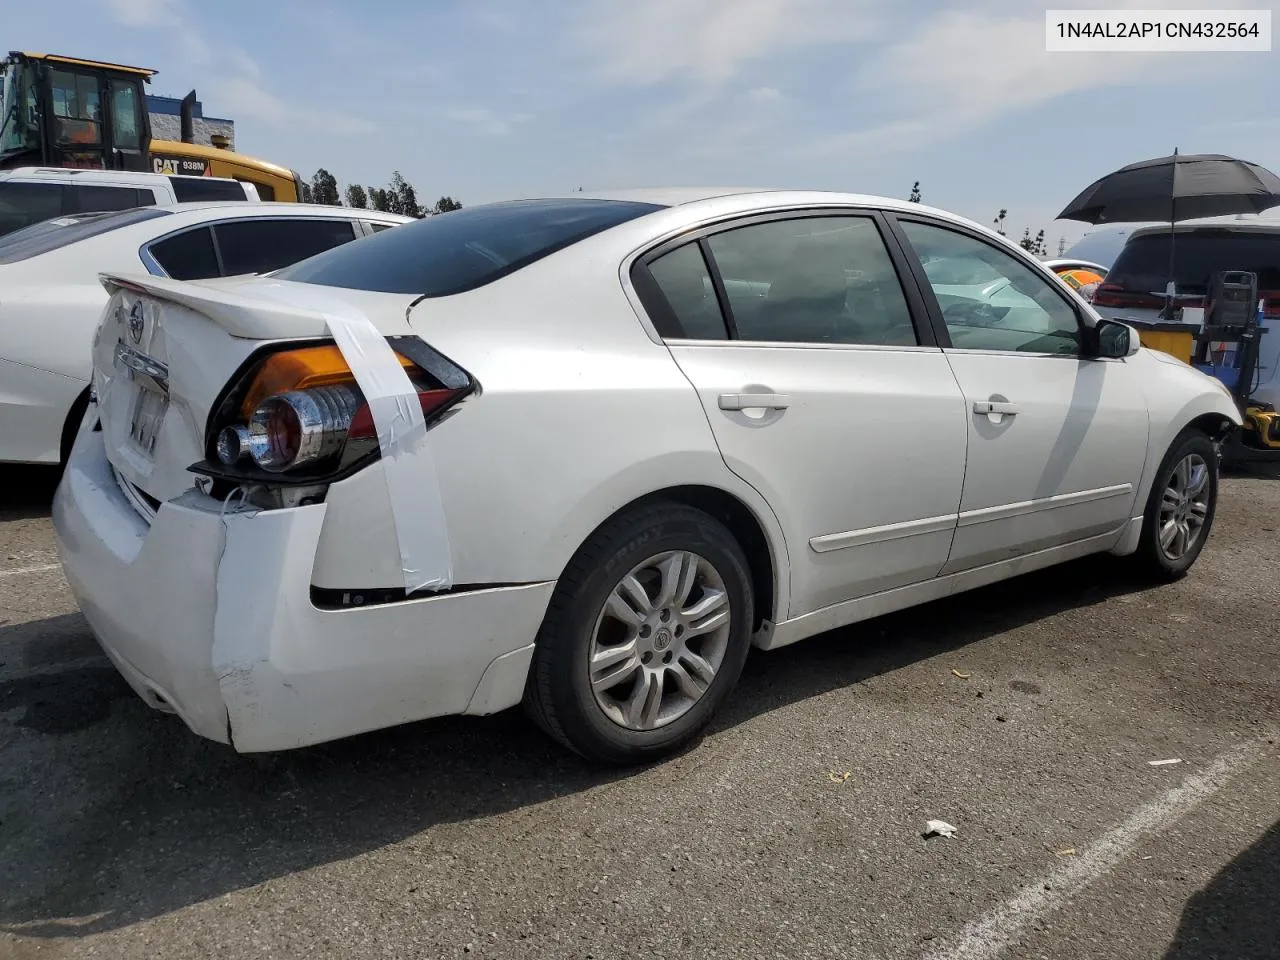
x=587, y=452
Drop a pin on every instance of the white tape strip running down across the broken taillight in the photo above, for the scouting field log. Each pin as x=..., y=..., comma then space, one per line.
x=409, y=468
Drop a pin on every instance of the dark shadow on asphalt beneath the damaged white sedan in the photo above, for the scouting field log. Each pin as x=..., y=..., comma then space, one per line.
x=139, y=817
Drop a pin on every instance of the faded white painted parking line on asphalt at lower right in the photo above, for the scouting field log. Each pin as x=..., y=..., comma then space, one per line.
x=988, y=938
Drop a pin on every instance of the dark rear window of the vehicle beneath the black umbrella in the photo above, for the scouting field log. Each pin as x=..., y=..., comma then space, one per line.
x=1144, y=264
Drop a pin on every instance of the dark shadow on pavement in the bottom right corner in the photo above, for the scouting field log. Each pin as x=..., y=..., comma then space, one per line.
x=1237, y=916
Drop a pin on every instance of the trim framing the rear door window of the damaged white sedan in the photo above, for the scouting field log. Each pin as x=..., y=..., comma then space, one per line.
x=655, y=304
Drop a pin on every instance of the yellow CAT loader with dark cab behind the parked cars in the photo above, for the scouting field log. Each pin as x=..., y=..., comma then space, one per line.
x=67, y=112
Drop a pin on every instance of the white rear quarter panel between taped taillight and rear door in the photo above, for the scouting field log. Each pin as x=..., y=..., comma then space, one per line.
x=580, y=413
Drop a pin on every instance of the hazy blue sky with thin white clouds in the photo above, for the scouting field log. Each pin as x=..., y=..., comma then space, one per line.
x=488, y=100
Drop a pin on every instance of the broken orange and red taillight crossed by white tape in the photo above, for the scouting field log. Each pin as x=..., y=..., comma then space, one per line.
x=299, y=415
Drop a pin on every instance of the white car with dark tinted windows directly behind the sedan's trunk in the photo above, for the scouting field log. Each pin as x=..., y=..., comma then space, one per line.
x=52, y=299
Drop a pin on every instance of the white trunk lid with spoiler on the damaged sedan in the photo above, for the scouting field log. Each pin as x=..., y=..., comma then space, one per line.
x=166, y=350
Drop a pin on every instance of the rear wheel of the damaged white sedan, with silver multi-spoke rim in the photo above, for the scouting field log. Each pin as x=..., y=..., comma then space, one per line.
x=646, y=636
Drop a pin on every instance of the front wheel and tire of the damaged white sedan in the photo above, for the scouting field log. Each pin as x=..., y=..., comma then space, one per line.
x=1180, y=510
